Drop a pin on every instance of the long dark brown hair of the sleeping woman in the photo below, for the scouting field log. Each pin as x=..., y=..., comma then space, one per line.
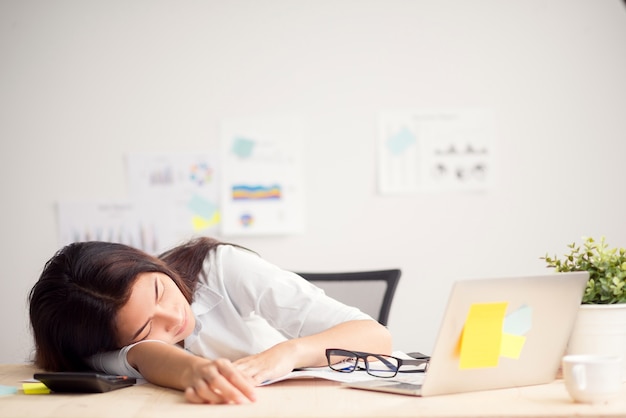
x=73, y=305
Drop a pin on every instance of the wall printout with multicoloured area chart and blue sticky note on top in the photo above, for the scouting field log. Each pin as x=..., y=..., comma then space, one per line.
x=261, y=186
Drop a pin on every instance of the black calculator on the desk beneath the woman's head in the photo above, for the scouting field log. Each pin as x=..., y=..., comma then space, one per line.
x=83, y=382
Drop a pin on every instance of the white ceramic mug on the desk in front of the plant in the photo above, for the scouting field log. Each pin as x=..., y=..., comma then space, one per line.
x=592, y=378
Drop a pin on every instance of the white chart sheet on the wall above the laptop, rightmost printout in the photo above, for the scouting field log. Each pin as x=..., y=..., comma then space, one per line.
x=436, y=150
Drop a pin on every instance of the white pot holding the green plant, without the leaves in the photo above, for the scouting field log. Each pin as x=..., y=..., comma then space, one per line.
x=600, y=329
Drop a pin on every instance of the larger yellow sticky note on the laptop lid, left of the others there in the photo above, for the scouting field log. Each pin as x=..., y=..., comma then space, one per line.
x=481, y=341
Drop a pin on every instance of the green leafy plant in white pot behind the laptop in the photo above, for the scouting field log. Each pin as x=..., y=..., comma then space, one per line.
x=600, y=327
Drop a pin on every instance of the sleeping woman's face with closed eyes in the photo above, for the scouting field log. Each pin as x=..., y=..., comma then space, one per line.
x=156, y=310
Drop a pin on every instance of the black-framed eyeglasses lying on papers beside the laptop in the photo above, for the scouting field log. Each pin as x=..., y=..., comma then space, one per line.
x=377, y=365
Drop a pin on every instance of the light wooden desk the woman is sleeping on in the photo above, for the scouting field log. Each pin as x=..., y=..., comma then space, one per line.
x=300, y=398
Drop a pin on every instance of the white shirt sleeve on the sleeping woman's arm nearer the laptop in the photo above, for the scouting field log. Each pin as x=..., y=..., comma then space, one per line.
x=285, y=300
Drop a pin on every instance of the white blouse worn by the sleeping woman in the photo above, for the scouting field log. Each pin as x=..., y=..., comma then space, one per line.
x=244, y=305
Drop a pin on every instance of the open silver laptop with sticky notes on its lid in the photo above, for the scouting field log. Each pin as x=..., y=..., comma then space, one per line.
x=497, y=333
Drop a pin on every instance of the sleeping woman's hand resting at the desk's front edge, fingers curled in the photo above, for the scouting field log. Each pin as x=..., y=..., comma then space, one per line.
x=218, y=382
